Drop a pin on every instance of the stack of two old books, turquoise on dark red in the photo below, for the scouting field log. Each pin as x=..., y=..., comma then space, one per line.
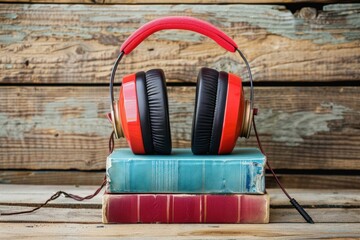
x=186, y=188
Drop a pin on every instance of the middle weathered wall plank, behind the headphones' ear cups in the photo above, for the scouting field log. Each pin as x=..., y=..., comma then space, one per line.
x=66, y=128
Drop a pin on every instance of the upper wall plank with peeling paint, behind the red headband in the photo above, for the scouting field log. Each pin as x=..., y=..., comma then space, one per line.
x=45, y=43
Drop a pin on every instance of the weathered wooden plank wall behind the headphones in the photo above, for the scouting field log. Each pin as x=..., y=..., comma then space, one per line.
x=55, y=62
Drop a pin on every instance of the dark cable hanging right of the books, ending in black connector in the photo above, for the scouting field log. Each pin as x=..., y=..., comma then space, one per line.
x=296, y=205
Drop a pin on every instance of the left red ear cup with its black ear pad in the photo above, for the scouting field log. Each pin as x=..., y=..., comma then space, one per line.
x=149, y=132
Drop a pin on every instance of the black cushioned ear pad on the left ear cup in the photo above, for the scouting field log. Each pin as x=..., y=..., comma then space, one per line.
x=153, y=111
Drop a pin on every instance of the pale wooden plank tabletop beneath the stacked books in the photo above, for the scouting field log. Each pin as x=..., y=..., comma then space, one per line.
x=336, y=213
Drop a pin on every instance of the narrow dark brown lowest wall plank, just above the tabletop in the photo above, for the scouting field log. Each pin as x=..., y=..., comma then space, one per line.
x=304, y=181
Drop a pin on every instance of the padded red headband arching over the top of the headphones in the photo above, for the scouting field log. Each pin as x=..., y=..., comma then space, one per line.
x=184, y=23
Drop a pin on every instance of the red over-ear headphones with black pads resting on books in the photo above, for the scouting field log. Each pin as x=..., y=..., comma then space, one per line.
x=221, y=112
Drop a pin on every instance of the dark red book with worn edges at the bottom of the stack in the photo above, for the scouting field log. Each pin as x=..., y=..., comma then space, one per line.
x=182, y=208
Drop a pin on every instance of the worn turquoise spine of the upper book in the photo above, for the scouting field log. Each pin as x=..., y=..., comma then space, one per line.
x=173, y=176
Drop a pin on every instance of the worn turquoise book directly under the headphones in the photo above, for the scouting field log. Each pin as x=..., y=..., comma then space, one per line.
x=182, y=172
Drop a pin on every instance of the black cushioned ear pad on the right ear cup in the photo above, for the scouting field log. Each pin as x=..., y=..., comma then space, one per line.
x=211, y=91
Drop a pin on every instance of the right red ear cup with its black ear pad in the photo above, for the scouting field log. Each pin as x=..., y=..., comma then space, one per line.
x=218, y=113
